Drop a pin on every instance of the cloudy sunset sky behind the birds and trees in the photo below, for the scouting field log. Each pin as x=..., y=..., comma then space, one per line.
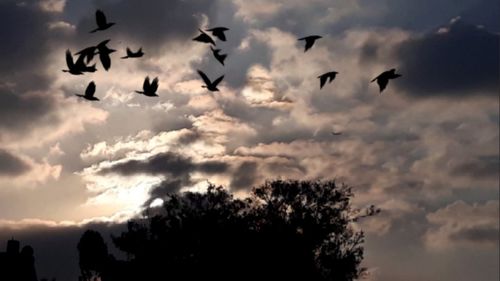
x=425, y=151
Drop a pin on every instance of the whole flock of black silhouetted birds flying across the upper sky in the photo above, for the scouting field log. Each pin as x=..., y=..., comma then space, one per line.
x=85, y=57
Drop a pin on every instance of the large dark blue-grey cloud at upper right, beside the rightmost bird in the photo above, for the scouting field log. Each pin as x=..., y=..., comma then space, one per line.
x=464, y=60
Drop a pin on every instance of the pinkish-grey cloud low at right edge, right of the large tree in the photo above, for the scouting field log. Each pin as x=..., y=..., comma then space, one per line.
x=462, y=224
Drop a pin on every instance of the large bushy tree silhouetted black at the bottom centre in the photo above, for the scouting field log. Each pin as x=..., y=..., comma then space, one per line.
x=286, y=230
